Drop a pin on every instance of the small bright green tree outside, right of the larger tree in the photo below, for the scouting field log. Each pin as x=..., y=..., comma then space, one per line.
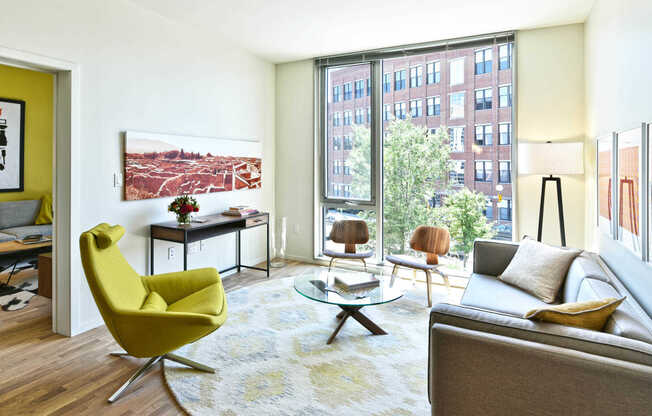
x=466, y=221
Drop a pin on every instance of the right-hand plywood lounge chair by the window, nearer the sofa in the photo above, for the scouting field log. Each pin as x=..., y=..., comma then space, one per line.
x=433, y=241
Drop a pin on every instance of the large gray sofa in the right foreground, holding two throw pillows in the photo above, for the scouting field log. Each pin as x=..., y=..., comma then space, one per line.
x=484, y=358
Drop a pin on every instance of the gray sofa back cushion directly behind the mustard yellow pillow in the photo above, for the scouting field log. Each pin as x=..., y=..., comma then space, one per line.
x=624, y=322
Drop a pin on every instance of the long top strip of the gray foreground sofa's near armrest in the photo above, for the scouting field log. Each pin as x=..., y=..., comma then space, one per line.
x=579, y=339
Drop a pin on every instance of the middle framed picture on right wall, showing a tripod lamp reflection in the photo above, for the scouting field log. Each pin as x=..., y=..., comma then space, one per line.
x=629, y=182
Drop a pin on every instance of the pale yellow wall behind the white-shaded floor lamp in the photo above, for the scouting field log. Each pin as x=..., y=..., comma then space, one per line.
x=550, y=106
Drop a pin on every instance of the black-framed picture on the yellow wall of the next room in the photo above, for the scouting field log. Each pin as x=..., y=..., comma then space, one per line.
x=12, y=144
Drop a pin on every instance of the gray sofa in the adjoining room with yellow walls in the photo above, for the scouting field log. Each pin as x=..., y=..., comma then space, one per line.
x=17, y=220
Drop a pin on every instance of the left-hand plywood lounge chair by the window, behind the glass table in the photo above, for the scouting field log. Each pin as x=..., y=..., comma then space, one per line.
x=349, y=233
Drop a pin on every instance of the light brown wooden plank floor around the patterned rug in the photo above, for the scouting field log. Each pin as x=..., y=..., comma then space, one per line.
x=42, y=373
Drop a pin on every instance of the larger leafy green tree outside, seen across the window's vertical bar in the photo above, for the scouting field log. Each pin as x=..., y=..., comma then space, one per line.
x=415, y=168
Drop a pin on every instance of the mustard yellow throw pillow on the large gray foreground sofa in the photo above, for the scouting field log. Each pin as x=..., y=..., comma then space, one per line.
x=591, y=314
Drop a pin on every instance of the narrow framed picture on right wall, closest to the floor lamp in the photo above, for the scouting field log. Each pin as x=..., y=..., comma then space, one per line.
x=604, y=186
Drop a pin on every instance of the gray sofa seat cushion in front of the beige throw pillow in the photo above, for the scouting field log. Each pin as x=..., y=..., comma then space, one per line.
x=489, y=293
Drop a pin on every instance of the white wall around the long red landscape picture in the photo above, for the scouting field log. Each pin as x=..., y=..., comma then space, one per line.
x=140, y=71
